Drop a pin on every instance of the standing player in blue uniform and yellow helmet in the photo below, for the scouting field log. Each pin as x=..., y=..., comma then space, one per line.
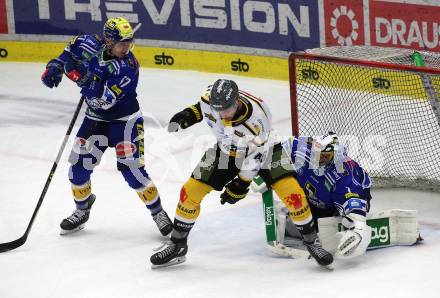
x=107, y=72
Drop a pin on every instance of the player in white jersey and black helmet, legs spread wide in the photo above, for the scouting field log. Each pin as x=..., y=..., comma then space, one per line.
x=245, y=147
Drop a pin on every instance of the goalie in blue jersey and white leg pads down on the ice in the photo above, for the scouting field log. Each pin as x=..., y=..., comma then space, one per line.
x=338, y=192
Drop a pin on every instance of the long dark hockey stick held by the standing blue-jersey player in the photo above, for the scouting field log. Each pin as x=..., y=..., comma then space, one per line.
x=20, y=241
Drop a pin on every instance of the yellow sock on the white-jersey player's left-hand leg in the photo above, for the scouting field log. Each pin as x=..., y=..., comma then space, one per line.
x=191, y=195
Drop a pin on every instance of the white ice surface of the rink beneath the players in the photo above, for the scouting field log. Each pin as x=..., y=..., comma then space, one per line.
x=227, y=255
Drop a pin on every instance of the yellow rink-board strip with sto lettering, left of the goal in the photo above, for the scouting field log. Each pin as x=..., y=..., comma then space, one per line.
x=165, y=58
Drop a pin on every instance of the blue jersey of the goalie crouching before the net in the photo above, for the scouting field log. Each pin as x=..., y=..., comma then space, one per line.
x=342, y=187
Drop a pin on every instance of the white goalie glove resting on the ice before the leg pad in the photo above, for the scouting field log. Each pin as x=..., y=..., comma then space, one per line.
x=354, y=241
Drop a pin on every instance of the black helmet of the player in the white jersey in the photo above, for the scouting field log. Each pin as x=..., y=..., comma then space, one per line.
x=224, y=94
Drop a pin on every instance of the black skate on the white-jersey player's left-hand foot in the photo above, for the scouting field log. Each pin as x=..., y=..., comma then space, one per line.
x=169, y=254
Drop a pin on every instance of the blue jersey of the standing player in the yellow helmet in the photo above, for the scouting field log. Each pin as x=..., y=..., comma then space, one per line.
x=112, y=93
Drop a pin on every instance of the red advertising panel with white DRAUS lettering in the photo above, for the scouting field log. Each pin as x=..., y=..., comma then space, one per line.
x=405, y=25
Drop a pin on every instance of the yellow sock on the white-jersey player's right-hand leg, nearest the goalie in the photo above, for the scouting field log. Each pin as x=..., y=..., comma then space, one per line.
x=293, y=196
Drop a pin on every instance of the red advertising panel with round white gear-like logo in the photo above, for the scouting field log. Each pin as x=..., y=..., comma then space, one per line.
x=344, y=22
